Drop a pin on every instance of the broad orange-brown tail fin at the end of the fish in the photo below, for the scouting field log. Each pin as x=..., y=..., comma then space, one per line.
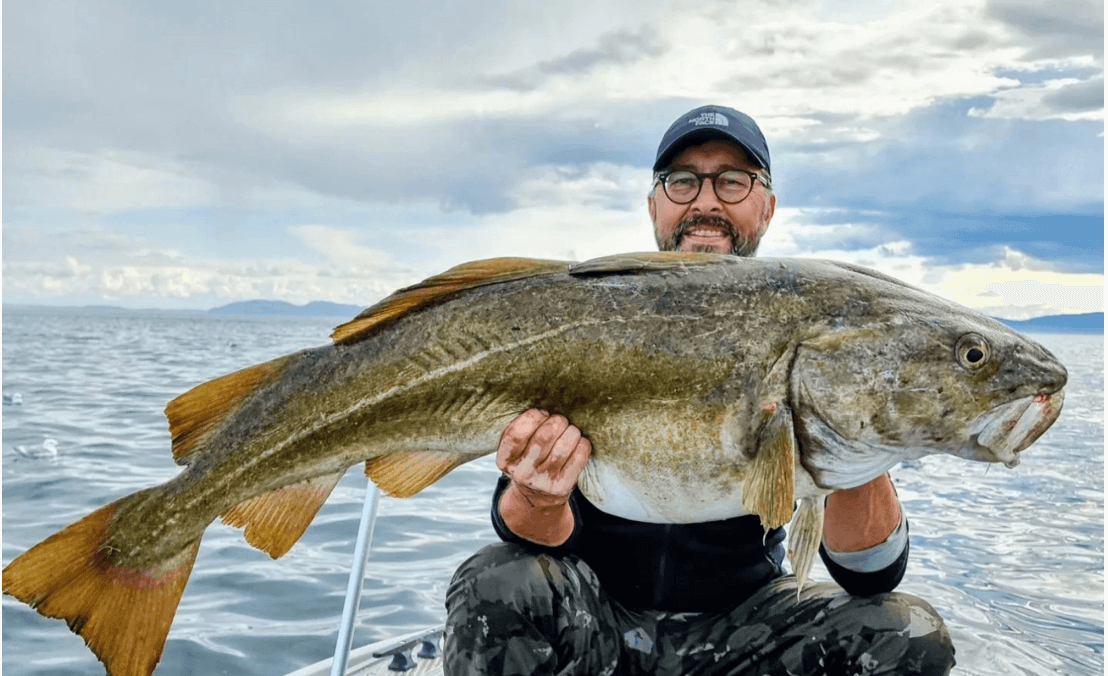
x=122, y=614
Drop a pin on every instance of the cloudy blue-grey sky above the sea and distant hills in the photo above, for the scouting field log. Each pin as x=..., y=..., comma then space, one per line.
x=193, y=153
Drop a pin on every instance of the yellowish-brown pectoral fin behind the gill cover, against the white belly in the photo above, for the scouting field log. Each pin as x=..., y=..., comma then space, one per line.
x=768, y=488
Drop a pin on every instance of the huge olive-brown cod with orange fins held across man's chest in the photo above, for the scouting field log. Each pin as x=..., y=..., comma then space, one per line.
x=711, y=387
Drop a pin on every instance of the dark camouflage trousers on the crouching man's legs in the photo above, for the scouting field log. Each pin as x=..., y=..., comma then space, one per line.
x=514, y=612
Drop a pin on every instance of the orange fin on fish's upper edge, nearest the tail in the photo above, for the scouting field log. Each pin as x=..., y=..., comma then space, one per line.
x=200, y=411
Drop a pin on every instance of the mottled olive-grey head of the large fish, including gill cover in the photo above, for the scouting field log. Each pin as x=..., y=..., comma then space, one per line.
x=919, y=380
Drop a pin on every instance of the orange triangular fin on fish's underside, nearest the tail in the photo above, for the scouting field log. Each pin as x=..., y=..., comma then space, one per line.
x=274, y=523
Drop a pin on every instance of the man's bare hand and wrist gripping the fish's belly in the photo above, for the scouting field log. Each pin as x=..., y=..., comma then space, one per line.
x=545, y=456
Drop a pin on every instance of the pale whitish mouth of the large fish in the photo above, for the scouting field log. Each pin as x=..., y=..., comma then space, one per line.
x=1017, y=426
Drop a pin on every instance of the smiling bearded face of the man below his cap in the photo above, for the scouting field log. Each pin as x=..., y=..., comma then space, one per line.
x=706, y=224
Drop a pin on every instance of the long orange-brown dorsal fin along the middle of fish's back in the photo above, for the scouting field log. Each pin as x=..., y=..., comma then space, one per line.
x=440, y=288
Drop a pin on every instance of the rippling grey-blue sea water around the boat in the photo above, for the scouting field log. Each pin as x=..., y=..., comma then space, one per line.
x=1012, y=559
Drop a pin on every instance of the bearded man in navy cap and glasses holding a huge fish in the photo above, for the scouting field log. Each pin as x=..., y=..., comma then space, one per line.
x=573, y=590
